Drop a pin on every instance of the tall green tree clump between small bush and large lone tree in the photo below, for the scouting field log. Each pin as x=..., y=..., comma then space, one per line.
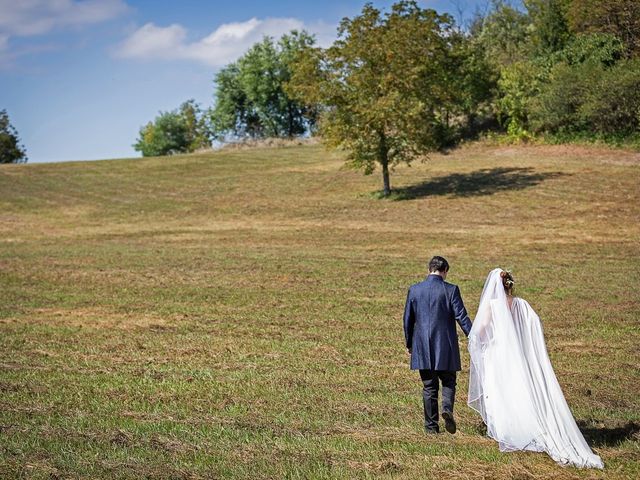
x=251, y=100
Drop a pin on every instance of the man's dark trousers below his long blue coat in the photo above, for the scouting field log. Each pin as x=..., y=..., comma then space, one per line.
x=431, y=382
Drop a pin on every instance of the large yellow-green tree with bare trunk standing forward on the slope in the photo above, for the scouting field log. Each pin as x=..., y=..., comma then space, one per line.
x=382, y=85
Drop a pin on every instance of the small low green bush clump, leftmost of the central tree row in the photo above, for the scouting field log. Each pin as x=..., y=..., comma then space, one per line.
x=179, y=131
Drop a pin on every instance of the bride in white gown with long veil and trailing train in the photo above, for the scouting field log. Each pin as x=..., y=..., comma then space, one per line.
x=512, y=383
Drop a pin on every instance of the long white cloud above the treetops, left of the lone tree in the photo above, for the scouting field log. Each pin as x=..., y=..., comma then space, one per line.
x=223, y=45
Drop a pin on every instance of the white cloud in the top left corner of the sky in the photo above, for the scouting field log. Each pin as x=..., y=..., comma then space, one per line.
x=37, y=17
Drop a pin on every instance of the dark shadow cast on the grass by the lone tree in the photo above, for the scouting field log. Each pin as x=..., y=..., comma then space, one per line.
x=481, y=182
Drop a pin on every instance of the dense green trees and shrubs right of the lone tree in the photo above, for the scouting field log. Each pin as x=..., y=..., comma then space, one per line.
x=558, y=65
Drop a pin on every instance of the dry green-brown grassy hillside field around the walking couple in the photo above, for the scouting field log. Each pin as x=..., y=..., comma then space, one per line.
x=238, y=314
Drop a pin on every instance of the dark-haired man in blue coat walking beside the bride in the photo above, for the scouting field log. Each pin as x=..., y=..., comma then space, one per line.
x=432, y=341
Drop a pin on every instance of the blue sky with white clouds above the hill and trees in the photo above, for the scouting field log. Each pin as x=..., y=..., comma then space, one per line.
x=79, y=78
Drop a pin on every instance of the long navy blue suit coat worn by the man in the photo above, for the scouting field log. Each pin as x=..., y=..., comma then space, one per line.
x=433, y=306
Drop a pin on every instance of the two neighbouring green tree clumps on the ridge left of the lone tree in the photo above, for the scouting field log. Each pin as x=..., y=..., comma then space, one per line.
x=250, y=102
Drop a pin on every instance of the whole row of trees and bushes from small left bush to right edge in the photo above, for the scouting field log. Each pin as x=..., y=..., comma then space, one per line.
x=398, y=84
